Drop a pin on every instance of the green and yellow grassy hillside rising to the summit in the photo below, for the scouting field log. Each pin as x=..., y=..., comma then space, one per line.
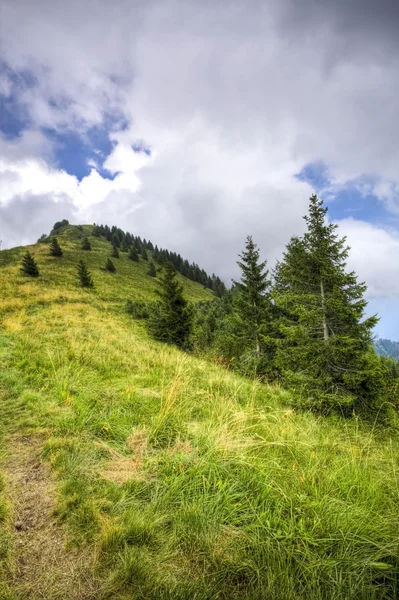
x=174, y=478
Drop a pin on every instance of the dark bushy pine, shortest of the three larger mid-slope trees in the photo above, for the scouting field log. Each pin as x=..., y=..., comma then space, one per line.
x=171, y=322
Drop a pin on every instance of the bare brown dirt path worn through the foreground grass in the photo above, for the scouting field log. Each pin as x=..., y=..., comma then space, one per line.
x=41, y=565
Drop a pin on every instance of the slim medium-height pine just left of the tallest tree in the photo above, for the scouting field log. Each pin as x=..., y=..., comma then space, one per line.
x=252, y=311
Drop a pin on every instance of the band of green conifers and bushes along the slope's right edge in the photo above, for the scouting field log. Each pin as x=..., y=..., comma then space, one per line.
x=302, y=325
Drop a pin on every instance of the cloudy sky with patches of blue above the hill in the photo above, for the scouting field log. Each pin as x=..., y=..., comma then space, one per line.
x=195, y=123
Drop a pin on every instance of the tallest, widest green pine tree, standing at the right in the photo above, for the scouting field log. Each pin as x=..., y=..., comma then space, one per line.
x=324, y=348
